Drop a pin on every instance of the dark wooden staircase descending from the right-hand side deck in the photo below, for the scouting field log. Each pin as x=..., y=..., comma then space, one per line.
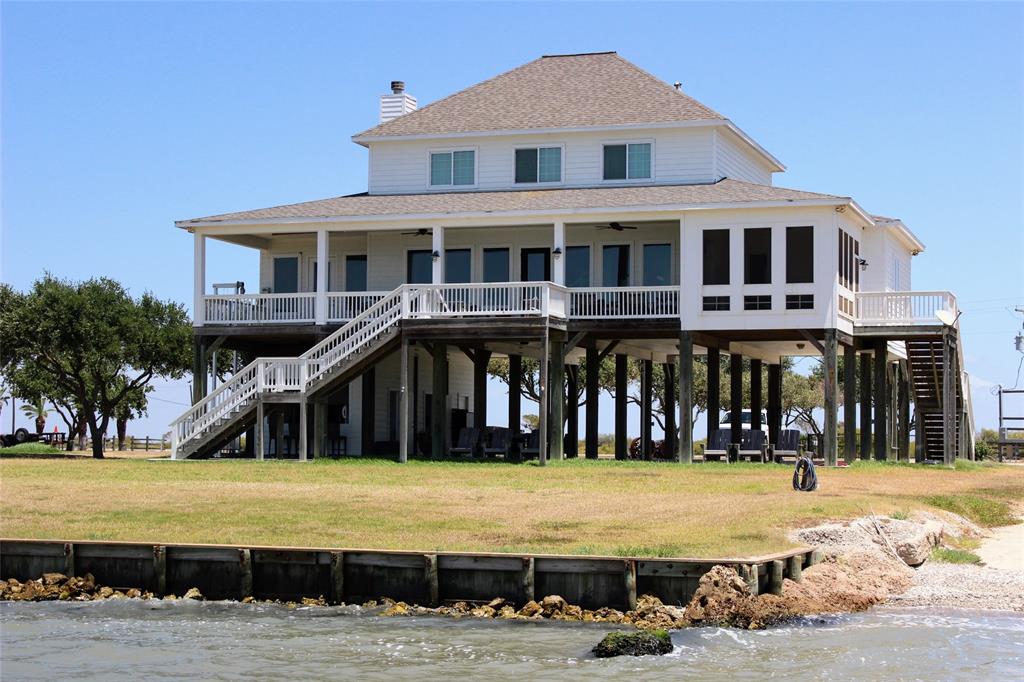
x=927, y=358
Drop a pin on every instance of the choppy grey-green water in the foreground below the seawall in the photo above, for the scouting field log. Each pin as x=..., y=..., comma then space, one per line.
x=122, y=641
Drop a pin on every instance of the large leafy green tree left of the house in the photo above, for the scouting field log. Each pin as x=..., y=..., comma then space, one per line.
x=93, y=344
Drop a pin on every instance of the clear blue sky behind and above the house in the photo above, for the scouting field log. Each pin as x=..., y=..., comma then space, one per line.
x=120, y=118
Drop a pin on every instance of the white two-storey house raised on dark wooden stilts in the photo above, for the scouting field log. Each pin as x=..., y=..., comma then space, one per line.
x=566, y=210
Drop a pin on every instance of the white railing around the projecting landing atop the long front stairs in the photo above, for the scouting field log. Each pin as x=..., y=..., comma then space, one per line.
x=486, y=300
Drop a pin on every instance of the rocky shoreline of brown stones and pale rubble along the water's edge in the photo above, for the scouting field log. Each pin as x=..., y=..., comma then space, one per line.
x=870, y=562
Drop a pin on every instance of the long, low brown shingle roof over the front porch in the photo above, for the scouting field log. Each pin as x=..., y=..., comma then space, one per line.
x=724, y=192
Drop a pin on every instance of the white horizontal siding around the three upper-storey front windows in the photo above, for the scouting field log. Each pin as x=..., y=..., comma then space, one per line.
x=684, y=155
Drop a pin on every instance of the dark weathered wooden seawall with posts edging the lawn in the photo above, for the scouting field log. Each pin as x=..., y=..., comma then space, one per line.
x=356, y=576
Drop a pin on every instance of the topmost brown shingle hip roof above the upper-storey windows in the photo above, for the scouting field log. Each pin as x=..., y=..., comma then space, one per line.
x=557, y=92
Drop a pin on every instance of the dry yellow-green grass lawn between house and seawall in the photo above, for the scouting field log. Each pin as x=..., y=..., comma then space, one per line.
x=573, y=507
